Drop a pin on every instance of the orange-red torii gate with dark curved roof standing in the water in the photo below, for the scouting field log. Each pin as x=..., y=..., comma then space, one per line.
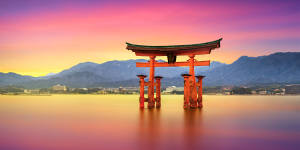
x=192, y=98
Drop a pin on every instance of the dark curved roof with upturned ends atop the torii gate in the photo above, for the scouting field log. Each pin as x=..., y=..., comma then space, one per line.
x=173, y=48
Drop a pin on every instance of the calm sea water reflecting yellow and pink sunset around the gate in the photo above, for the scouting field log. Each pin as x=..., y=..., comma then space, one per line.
x=107, y=122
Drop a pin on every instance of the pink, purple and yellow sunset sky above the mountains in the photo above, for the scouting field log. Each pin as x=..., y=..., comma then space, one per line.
x=38, y=37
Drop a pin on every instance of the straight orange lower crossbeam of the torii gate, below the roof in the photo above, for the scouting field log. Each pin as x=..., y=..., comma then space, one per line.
x=176, y=64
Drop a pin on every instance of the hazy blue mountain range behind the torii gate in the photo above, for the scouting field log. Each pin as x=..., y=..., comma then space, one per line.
x=277, y=68
